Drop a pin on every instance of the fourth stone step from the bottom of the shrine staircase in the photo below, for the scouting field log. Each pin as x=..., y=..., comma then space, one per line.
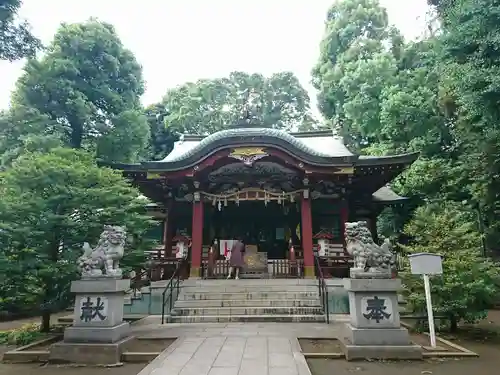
x=257, y=295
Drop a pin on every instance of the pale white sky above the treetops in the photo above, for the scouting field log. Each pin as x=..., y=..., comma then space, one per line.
x=177, y=41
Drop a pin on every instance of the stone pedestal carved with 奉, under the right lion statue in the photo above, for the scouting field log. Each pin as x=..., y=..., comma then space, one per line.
x=374, y=330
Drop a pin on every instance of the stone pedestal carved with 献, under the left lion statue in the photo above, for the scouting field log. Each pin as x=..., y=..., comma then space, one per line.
x=98, y=332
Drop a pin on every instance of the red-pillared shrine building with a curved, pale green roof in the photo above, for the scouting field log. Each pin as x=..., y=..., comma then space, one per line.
x=286, y=194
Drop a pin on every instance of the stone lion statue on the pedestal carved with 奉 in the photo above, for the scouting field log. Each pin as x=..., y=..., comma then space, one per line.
x=369, y=257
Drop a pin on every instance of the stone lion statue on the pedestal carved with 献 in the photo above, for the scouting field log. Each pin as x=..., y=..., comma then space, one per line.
x=104, y=259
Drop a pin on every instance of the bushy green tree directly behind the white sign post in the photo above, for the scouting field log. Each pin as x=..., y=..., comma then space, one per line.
x=469, y=284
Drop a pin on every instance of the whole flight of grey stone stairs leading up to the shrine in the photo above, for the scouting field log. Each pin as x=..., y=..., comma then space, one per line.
x=248, y=300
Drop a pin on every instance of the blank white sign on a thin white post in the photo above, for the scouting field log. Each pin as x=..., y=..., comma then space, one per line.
x=426, y=264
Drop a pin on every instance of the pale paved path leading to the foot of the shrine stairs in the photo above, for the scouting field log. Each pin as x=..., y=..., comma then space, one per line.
x=234, y=348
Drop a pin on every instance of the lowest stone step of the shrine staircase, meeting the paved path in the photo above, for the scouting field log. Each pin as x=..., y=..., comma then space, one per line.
x=246, y=318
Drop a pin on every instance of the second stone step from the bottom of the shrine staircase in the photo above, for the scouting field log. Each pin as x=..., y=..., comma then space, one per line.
x=254, y=310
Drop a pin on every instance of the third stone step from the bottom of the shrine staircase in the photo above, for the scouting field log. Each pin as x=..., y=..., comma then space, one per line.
x=247, y=303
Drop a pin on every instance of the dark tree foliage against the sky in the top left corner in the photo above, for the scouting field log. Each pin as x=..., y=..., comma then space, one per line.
x=16, y=39
